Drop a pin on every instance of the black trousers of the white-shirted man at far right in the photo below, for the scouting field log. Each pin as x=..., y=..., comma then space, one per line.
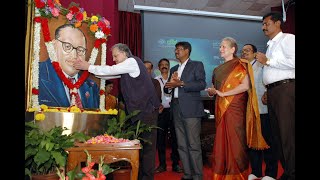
x=281, y=108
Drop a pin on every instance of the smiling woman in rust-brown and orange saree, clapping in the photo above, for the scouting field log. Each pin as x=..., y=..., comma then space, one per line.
x=237, y=118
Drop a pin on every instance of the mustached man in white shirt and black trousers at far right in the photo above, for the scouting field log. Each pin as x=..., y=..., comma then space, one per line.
x=279, y=78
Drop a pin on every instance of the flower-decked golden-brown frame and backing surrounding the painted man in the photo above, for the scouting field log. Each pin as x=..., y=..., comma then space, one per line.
x=42, y=21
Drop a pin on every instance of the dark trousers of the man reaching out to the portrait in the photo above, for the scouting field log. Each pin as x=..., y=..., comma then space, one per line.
x=148, y=151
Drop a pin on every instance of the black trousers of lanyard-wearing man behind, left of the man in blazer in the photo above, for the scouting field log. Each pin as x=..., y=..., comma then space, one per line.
x=165, y=122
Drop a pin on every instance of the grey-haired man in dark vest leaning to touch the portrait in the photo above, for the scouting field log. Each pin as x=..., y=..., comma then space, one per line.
x=139, y=94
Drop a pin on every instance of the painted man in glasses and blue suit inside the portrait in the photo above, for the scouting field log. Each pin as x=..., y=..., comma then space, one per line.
x=69, y=46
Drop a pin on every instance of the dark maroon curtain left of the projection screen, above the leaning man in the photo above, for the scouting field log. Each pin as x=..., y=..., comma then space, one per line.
x=130, y=31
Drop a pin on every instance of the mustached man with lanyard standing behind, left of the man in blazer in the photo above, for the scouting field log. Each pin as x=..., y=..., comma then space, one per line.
x=166, y=124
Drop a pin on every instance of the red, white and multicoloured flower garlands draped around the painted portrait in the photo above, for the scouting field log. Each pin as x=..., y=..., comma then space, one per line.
x=96, y=24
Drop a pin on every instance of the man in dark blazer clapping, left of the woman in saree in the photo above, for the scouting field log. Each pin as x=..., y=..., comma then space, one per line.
x=187, y=79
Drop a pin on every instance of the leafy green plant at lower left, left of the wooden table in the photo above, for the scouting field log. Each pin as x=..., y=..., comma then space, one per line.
x=45, y=150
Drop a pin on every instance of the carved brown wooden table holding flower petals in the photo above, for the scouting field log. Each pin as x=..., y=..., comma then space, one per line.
x=112, y=152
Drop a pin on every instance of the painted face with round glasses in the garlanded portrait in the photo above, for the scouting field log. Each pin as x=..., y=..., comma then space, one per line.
x=70, y=46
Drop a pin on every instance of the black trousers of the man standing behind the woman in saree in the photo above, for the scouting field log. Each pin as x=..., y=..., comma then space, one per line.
x=268, y=155
